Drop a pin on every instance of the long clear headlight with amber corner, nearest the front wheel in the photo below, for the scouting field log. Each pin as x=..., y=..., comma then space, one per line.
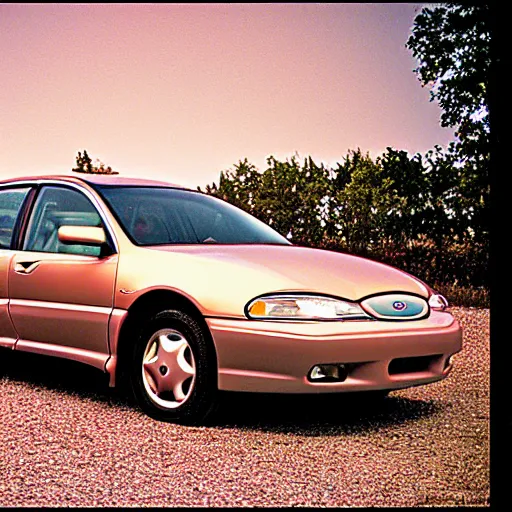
x=303, y=307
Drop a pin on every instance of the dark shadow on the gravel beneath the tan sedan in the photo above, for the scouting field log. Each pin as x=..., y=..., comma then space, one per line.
x=305, y=415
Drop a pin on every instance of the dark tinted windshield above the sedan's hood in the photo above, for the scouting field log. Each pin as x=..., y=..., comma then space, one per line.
x=160, y=215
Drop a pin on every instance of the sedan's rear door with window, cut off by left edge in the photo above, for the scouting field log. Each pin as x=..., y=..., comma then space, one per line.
x=11, y=202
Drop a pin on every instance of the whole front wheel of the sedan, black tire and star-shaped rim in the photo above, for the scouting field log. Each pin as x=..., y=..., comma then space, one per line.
x=173, y=371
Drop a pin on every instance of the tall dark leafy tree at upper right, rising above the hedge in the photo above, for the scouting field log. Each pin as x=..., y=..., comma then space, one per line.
x=452, y=44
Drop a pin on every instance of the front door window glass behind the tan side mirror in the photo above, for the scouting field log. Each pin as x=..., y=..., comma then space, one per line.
x=56, y=207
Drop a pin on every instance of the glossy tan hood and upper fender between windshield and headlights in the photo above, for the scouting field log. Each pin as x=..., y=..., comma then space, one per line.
x=221, y=279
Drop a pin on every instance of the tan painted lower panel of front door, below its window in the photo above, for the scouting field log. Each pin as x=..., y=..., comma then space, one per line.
x=42, y=301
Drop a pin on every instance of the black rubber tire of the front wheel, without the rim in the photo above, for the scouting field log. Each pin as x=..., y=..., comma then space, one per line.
x=202, y=400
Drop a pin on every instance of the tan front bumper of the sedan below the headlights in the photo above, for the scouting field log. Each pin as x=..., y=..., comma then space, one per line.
x=276, y=357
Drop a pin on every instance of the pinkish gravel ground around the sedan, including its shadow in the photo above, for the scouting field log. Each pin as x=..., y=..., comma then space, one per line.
x=69, y=440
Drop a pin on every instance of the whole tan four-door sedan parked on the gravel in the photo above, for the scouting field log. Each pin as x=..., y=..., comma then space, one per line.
x=180, y=295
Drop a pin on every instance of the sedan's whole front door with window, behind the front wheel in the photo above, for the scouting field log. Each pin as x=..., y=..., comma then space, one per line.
x=61, y=296
